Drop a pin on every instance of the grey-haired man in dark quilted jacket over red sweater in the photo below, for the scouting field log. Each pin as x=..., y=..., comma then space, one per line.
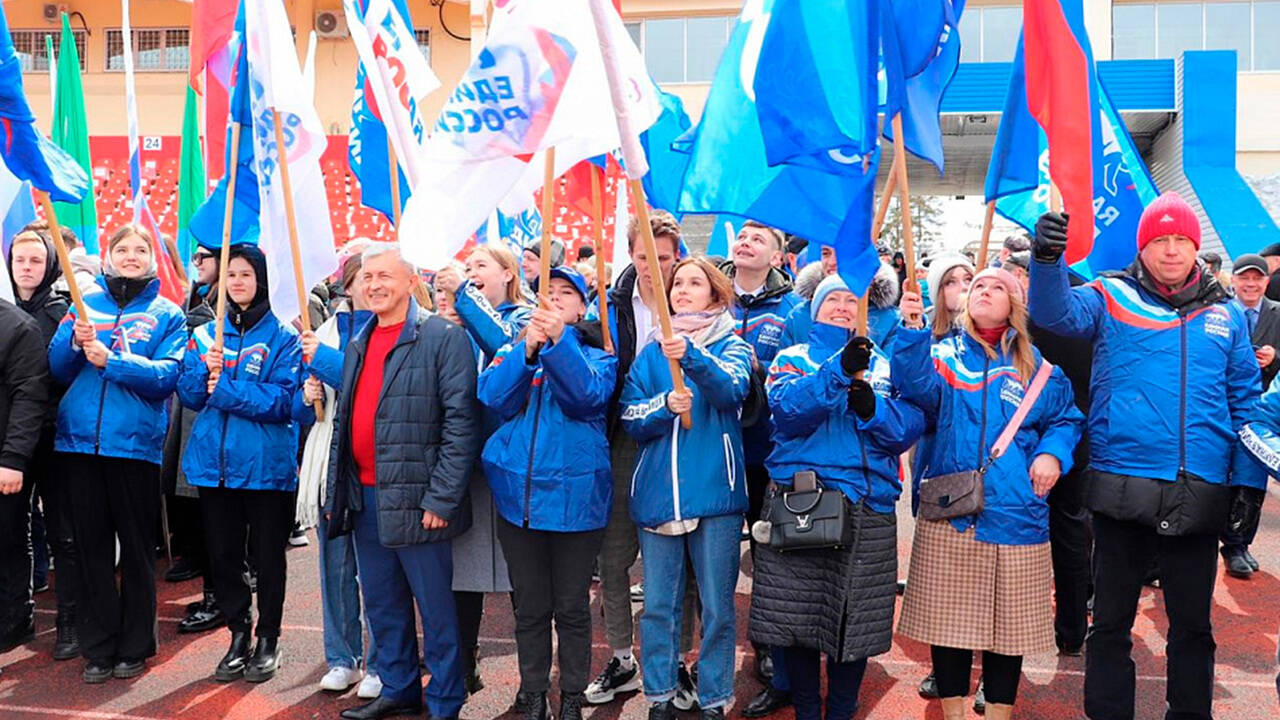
x=409, y=431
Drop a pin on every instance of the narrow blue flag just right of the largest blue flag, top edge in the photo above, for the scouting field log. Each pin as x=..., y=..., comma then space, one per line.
x=920, y=97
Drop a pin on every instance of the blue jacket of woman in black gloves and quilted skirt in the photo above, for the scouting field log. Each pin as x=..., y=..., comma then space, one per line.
x=816, y=431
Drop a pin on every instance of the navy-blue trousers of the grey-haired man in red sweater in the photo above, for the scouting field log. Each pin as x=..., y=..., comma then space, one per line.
x=392, y=578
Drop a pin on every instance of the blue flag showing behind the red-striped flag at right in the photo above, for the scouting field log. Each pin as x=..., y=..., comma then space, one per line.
x=1122, y=189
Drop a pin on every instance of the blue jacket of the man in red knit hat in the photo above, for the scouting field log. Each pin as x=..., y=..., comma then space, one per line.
x=1171, y=389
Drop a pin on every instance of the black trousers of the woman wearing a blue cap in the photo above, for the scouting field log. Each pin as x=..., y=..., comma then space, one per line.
x=551, y=575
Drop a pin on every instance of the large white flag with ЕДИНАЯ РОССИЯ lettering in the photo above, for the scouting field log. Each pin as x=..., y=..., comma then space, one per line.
x=540, y=83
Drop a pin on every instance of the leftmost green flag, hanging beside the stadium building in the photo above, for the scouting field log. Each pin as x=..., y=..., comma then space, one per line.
x=71, y=134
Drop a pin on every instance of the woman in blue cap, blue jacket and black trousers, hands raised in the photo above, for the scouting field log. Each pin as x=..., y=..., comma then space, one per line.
x=548, y=468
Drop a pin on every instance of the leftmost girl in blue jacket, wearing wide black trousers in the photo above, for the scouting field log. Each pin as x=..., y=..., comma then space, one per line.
x=121, y=366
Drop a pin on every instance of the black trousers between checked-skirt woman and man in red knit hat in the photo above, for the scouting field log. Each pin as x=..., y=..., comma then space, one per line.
x=1071, y=539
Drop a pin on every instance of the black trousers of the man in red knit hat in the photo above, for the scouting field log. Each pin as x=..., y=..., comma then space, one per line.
x=1188, y=568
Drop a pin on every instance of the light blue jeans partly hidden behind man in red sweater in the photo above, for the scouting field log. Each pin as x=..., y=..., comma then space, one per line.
x=340, y=603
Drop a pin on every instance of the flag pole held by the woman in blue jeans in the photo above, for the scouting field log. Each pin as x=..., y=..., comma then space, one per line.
x=634, y=158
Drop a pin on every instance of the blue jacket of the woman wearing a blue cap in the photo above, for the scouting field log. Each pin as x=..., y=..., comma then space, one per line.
x=548, y=464
